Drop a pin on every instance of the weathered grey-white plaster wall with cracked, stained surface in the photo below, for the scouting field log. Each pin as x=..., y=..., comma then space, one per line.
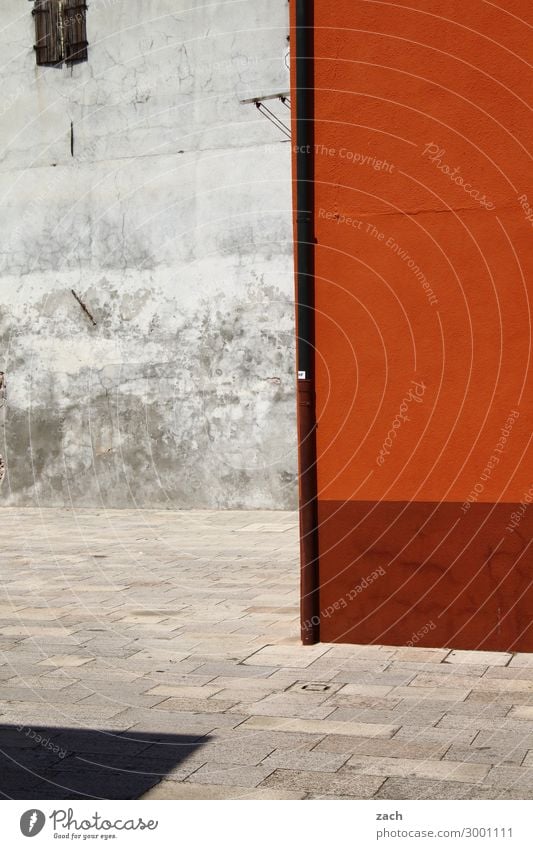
x=171, y=221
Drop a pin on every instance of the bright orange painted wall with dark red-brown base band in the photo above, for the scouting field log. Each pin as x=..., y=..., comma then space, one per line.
x=423, y=320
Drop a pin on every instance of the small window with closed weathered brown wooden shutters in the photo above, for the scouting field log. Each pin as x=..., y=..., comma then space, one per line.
x=60, y=31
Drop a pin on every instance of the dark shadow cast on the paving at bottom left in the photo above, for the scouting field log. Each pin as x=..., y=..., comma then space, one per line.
x=76, y=763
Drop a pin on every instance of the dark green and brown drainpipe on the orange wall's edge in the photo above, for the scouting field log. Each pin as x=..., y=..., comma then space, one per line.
x=305, y=284
